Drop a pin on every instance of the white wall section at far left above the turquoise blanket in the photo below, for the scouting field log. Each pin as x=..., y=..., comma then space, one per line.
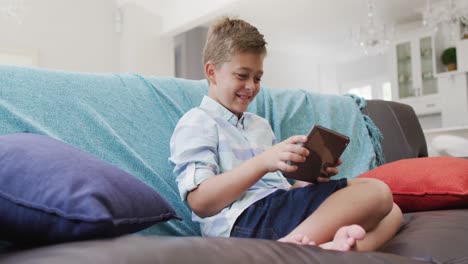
x=67, y=34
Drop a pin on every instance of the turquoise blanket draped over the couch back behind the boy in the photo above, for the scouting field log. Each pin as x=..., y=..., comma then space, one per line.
x=127, y=120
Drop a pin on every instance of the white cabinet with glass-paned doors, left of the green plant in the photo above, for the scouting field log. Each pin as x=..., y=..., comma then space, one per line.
x=413, y=71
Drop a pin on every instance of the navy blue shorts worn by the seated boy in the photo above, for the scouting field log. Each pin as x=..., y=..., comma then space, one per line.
x=276, y=215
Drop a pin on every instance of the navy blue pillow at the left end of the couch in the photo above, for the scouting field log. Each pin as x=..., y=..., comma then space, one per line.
x=52, y=192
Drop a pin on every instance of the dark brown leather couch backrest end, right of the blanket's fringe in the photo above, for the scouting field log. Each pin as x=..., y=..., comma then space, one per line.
x=402, y=132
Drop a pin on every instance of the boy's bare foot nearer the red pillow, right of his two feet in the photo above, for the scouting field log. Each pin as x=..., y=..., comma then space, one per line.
x=345, y=238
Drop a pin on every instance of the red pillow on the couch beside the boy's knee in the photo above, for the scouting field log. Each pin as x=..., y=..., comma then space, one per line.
x=423, y=184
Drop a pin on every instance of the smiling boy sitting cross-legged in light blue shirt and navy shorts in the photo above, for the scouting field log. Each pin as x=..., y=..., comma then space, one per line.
x=228, y=167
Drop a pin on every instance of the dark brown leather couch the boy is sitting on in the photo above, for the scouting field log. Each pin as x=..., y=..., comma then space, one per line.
x=425, y=237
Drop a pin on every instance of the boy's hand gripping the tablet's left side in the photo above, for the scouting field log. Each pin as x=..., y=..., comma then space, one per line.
x=277, y=157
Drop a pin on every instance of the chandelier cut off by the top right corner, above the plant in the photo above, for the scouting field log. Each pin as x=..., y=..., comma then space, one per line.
x=447, y=13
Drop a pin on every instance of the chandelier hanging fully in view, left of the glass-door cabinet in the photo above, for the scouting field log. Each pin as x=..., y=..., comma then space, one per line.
x=373, y=37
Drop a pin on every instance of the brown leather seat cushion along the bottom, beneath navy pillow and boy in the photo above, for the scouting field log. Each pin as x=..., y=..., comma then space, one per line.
x=132, y=249
